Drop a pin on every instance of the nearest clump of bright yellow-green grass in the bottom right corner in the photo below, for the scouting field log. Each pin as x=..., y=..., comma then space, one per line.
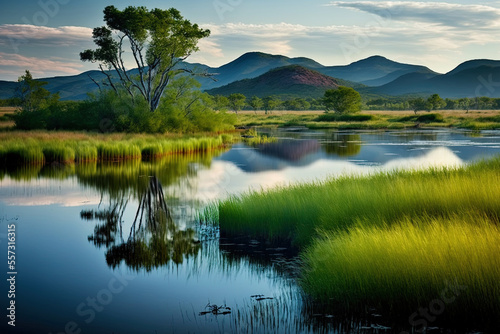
x=410, y=264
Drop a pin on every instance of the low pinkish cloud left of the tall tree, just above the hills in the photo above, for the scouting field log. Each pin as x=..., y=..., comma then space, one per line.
x=16, y=63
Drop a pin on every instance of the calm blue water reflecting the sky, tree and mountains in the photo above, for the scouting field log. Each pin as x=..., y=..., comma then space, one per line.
x=83, y=266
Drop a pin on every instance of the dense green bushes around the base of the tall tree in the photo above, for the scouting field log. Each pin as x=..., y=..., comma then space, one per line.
x=184, y=109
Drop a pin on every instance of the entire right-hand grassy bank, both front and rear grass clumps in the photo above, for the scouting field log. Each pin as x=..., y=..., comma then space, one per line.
x=390, y=240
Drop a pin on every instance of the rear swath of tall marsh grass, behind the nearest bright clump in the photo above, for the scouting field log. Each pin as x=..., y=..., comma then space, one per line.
x=297, y=212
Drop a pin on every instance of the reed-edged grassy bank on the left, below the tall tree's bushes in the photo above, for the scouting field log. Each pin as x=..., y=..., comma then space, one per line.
x=38, y=147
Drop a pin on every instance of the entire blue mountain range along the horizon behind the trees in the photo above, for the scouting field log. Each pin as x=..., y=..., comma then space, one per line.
x=257, y=73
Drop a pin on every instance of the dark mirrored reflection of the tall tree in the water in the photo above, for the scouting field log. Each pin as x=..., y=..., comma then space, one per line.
x=154, y=240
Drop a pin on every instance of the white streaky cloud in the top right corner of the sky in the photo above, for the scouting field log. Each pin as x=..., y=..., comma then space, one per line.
x=440, y=13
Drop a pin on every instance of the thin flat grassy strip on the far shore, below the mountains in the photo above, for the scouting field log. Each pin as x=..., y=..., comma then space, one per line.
x=374, y=120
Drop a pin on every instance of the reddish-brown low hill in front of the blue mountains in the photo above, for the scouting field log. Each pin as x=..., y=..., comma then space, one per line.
x=288, y=81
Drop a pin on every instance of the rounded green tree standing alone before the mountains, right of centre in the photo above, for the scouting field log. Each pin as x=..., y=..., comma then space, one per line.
x=342, y=100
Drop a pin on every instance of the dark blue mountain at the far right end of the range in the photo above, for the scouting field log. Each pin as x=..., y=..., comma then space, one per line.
x=470, y=79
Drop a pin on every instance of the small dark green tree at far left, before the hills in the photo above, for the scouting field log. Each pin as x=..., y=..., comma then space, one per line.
x=32, y=95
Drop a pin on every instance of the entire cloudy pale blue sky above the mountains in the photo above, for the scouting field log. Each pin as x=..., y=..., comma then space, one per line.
x=46, y=36
